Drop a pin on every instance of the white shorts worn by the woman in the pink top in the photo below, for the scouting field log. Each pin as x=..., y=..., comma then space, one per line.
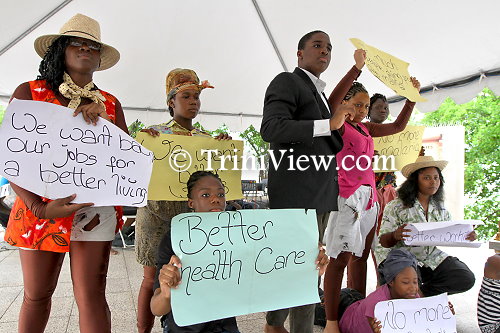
x=349, y=226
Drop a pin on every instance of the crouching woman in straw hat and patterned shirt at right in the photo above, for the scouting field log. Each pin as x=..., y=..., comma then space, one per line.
x=421, y=200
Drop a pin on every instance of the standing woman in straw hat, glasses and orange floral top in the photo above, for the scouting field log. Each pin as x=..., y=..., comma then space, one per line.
x=70, y=59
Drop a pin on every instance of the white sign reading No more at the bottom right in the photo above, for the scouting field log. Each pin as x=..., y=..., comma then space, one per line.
x=426, y=315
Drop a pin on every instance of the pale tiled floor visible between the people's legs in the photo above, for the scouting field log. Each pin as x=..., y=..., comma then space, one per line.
x=124, y=279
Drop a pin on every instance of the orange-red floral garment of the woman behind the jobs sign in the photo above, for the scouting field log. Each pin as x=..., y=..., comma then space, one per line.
x=26, y=230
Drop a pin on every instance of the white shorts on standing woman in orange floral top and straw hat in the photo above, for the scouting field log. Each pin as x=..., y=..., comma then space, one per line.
x=104, y=231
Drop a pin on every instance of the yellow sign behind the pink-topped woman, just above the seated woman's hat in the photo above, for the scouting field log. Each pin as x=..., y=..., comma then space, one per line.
x=403, y=146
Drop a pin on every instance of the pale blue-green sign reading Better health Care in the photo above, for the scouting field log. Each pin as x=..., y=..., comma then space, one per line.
x=236, y=263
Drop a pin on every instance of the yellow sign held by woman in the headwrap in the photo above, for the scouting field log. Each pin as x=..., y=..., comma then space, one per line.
x=176, y=157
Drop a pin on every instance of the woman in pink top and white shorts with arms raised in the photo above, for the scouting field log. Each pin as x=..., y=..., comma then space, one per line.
x=350, y=230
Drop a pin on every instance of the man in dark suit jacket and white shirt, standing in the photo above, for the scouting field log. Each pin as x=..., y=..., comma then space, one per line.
x=299, y=125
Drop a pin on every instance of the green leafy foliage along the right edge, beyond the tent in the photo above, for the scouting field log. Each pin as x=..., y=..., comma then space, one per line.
x=481, y=119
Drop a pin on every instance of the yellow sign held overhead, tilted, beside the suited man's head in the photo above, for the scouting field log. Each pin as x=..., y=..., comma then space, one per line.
x=393, y=72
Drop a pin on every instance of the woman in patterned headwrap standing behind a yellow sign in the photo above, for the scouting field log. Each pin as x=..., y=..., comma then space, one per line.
x=183, y=90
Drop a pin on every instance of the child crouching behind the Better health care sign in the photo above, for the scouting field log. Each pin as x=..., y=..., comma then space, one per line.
x=205, y=194
